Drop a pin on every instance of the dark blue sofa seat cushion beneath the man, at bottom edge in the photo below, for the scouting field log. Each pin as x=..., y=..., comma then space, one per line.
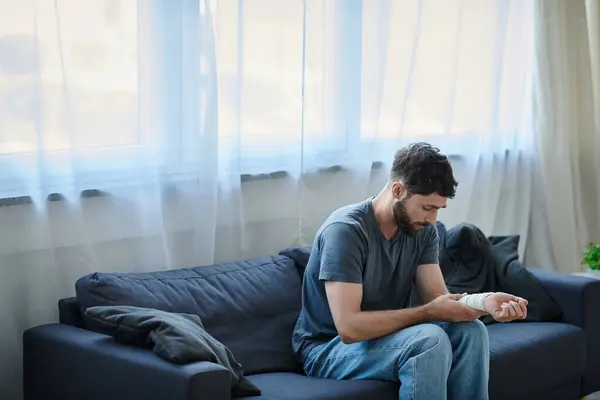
x=283, y=386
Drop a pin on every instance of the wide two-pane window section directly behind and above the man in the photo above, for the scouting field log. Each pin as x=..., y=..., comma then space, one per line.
x=331, y=79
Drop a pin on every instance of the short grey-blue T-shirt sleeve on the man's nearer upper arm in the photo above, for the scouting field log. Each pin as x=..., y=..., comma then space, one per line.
x=341, y=254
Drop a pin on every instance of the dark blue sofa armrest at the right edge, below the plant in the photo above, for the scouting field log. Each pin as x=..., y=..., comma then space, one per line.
x=579, y=299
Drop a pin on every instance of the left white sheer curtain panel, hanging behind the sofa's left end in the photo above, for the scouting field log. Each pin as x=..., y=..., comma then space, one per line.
x=108, y=150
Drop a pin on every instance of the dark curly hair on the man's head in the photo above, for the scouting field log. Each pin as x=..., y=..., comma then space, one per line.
x=424, y=170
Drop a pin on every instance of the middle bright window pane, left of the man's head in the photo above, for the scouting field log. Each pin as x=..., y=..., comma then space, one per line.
x=279, y=81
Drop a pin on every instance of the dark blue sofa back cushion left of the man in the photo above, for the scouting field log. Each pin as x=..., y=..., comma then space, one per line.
x=250, y=306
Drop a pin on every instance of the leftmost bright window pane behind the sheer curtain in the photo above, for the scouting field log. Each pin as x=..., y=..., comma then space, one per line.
x=84, y=59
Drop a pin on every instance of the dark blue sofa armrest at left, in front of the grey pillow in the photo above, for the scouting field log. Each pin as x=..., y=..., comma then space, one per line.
x=64, y=362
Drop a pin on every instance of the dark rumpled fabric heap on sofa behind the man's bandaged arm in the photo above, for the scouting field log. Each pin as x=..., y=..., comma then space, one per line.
x=474, y=263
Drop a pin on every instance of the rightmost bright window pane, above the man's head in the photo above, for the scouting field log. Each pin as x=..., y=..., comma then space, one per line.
x=445, y=70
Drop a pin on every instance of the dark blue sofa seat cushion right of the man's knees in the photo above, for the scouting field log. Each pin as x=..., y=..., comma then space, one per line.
x=526, y=357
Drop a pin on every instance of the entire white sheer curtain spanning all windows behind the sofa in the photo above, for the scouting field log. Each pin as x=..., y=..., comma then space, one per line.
x=153, y=134
